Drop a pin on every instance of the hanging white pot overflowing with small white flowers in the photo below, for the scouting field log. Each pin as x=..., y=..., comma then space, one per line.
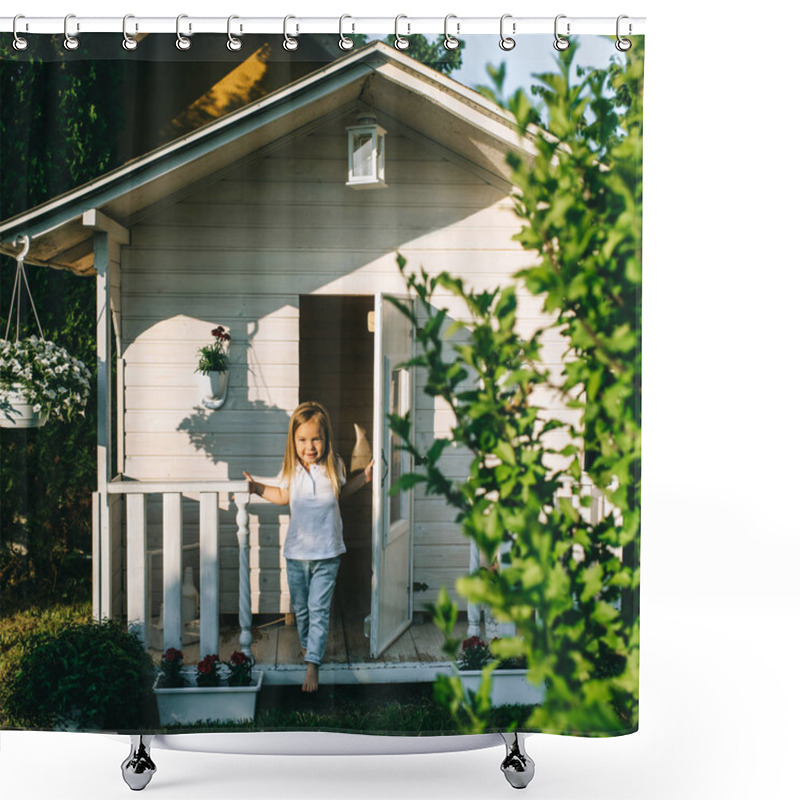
x=40, y=380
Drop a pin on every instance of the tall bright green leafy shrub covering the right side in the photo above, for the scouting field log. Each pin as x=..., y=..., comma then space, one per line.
x=568, y=583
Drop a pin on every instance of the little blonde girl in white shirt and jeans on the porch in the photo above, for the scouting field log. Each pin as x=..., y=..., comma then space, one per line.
x=311, y=483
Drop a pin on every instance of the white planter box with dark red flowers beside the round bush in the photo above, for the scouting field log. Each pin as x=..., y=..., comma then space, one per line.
x=212, y=691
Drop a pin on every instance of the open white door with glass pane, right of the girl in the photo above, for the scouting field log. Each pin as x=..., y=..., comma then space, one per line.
x=392, y=517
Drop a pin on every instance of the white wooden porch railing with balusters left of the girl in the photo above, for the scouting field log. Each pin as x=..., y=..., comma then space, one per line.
x=138, y=597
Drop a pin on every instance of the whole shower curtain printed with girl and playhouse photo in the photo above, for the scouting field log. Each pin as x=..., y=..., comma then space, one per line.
x=436, y=240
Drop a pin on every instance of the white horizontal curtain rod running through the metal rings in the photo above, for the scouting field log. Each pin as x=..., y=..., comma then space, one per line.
x=186, y=24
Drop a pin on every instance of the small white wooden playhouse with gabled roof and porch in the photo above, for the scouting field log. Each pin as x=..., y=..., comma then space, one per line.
x=248, y=223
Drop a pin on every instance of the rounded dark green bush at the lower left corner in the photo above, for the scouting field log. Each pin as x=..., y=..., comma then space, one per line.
x=88, y=676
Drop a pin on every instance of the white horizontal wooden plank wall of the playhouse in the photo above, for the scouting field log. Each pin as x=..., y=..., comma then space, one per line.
x=238, y=251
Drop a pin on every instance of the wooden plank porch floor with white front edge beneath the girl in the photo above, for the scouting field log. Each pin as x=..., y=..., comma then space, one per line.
x=416, y=656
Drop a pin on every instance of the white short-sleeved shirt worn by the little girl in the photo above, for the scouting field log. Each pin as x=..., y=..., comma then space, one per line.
x=315, y=526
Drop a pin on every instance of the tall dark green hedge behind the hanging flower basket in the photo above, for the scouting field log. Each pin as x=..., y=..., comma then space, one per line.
x=56, y=138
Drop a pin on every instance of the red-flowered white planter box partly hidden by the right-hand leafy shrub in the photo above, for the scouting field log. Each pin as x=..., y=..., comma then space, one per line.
x=510, y=683
